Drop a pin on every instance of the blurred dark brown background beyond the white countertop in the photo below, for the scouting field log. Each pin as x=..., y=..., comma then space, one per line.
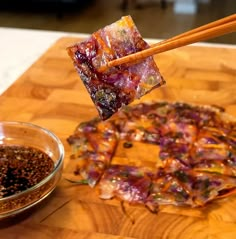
x=154, y=18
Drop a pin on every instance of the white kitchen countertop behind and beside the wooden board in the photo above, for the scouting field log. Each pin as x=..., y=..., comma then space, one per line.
x=19, y=48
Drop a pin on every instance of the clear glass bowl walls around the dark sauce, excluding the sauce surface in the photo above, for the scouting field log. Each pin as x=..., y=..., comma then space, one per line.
x=27, y=134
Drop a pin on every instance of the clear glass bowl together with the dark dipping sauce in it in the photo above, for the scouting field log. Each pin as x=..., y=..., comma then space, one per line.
x=31, y=161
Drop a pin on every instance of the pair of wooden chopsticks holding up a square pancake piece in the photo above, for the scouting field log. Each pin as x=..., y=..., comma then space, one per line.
x=214, y=29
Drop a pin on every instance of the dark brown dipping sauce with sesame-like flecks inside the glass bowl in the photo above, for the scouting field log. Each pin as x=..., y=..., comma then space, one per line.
x=22, y=167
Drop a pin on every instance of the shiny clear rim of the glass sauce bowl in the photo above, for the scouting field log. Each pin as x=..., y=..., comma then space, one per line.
x=57, y=166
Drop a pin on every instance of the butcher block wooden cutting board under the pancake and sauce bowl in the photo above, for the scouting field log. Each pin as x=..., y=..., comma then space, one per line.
x=50, y=94
